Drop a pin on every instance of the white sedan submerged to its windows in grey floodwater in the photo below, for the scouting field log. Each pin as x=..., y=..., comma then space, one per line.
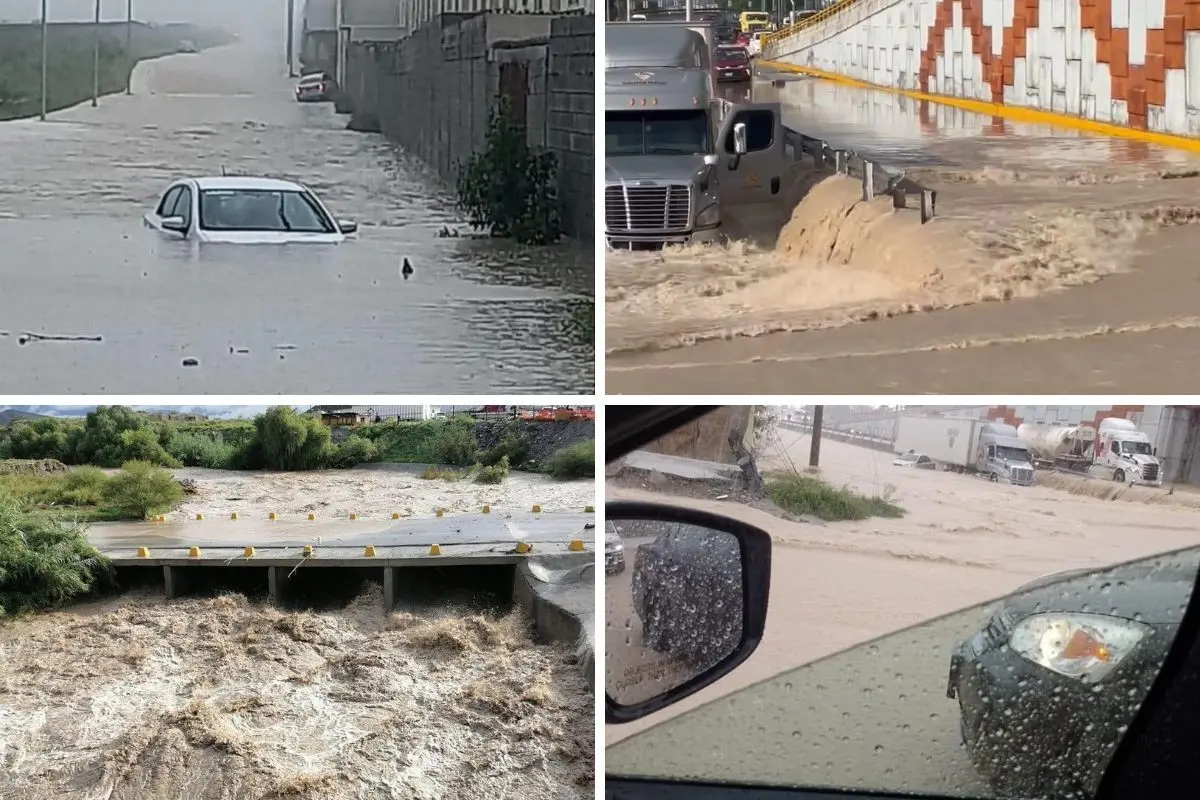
x=245, y=212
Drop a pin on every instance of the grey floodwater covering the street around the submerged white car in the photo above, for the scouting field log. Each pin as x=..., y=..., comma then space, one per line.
x=79, y=263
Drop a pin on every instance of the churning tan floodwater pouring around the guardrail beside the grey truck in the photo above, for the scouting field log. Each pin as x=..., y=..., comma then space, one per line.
x=1001, y=234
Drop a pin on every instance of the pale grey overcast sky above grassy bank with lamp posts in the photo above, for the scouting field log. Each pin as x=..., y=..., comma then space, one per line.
x=243, y=16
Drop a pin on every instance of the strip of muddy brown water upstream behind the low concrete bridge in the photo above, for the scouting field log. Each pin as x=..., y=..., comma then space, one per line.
x=371, y=491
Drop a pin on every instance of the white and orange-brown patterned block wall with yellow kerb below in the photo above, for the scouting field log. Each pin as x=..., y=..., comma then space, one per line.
x=1132, y=63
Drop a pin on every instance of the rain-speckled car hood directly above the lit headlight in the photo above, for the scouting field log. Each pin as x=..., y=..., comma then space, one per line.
x=1154, y=592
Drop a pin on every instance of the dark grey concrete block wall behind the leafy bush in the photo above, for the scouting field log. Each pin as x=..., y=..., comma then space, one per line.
x=433, y=93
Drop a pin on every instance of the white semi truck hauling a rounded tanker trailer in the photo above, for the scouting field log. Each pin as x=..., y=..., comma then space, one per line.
x=1117, y=450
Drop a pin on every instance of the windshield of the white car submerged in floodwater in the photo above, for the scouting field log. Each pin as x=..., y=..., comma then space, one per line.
x=262, y=210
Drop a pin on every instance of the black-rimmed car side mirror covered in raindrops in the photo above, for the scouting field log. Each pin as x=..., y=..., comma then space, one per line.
x=689, y=612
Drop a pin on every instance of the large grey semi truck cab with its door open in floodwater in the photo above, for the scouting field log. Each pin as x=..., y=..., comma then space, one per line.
x=675, y=152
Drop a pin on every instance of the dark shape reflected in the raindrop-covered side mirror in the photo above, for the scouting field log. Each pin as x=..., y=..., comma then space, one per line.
x=681, y=566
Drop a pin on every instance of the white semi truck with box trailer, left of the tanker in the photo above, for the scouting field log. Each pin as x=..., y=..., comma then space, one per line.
x=971, y=447
